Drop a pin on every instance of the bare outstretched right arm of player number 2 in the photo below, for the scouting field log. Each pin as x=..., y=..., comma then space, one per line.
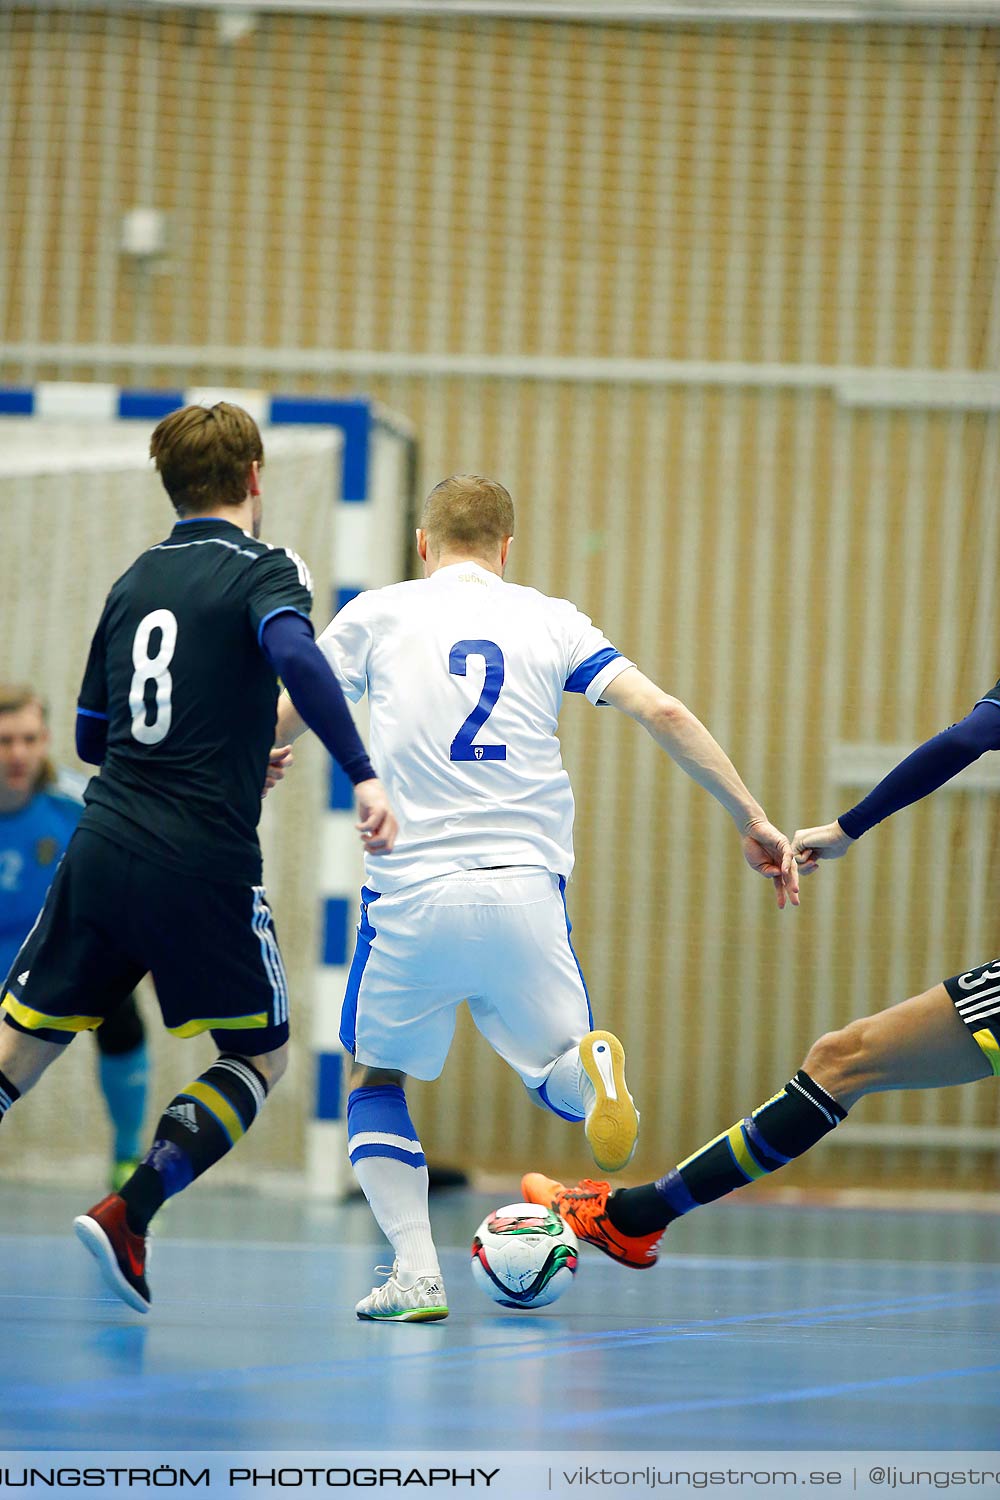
x=687, y=742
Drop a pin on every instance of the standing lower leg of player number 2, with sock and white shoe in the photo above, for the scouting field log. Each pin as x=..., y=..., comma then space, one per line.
x=392, y=1169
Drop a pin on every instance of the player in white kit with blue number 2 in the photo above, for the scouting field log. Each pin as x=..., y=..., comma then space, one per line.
x=466, y=677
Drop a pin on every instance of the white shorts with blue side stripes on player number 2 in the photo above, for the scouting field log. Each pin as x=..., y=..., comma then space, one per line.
x=499, y=940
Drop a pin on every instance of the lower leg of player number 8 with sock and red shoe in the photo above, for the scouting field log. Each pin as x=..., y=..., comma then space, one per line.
x=196, y=1132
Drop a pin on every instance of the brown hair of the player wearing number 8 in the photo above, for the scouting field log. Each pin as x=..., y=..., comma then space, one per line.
x=203, y=455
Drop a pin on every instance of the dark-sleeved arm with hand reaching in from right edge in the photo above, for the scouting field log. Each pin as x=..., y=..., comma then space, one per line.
x=917, y=776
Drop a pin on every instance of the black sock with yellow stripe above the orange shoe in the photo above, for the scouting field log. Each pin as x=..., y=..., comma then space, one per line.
x=777, y=1133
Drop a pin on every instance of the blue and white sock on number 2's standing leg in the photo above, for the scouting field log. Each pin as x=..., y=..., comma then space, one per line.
x=391, y=1166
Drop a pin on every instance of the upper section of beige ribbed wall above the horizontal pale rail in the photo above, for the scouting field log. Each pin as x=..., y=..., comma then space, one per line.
x=774, y=194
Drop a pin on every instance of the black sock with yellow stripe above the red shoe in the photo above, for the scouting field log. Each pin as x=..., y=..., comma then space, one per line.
x=197, y=1129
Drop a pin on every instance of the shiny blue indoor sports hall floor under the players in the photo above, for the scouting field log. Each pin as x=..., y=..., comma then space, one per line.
x=765, y=1327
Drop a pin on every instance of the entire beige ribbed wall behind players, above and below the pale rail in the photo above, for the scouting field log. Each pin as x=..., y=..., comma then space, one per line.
x=800, y=569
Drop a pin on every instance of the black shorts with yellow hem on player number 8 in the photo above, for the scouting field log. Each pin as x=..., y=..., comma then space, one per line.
x=112, y=917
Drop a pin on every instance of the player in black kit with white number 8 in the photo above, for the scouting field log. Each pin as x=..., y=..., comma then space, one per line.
x=164, y=872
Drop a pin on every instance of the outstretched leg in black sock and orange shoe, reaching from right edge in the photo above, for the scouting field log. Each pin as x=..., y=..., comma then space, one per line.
x=923, y=1043
